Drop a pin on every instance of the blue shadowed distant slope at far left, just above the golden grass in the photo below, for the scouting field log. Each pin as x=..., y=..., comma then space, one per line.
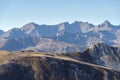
x=18, y=44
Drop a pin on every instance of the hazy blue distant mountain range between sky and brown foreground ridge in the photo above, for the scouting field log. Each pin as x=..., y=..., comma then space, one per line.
x=63, y=37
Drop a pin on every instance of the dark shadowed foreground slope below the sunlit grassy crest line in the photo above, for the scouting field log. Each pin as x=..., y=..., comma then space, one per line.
x=43, y=68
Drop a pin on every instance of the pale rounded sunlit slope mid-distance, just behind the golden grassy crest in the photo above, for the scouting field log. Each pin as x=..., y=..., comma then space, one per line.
x=51, y=46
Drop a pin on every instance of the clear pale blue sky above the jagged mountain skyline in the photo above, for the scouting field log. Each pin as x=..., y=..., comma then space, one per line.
x=16, y=13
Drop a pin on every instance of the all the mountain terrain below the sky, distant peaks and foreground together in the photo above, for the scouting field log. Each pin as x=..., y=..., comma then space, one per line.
x=76, y=51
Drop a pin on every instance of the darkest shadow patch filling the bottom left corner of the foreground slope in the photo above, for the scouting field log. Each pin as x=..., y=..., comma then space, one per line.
x=16, y=72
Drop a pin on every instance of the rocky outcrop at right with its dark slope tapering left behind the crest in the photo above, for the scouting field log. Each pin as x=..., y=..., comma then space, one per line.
x=100, y=54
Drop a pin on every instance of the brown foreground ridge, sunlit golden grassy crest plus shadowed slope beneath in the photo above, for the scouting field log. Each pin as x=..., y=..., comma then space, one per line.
x=29, y=65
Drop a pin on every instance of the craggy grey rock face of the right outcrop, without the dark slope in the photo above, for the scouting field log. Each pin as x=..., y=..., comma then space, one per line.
x=105, y=55
